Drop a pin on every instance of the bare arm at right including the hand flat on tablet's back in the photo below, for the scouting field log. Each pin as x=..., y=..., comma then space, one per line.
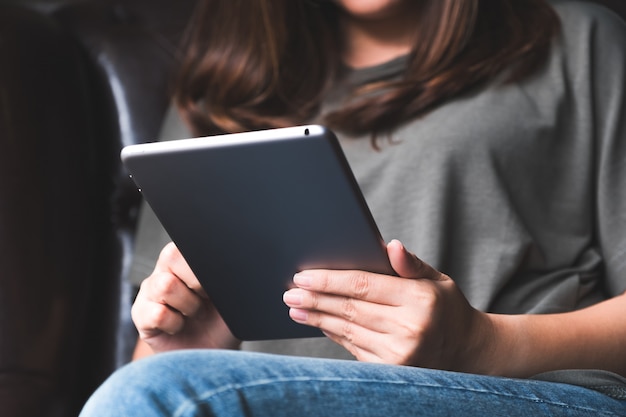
x=426, y=321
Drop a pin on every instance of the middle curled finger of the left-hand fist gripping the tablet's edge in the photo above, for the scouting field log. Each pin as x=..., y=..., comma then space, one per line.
x=168, y=289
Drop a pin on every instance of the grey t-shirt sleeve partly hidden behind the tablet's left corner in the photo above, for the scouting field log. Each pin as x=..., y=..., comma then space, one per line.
x=150, y=236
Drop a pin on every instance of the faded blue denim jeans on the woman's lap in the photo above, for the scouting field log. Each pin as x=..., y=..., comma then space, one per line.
x=227, y=383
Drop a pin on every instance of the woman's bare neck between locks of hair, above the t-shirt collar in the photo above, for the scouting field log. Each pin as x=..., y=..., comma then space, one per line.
x=373, y=42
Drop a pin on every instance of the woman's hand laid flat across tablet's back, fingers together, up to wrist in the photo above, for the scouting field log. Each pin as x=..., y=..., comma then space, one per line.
x=419, y=318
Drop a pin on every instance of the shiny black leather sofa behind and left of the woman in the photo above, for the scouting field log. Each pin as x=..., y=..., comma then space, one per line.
x=78, y=80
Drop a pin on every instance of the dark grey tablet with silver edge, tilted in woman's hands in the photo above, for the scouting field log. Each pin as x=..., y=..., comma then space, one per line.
x=249, y=210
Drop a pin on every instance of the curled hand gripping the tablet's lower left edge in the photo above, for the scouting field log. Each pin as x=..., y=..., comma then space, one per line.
x=172, y=311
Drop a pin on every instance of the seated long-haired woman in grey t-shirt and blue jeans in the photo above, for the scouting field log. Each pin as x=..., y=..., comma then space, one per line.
x=487, y=136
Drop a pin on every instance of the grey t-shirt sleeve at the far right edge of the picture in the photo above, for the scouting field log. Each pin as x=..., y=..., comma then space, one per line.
x=609, y=106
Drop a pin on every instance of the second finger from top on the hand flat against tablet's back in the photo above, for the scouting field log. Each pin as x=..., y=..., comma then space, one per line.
x=372, y=316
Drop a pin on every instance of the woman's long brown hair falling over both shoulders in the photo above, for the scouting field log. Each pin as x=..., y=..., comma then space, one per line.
x=254, y=64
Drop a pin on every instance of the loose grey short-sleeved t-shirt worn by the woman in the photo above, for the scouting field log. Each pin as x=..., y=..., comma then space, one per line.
x=517, y=191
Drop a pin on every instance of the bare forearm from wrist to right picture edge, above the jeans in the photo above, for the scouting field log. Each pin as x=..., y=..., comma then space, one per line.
x=525, y=345
